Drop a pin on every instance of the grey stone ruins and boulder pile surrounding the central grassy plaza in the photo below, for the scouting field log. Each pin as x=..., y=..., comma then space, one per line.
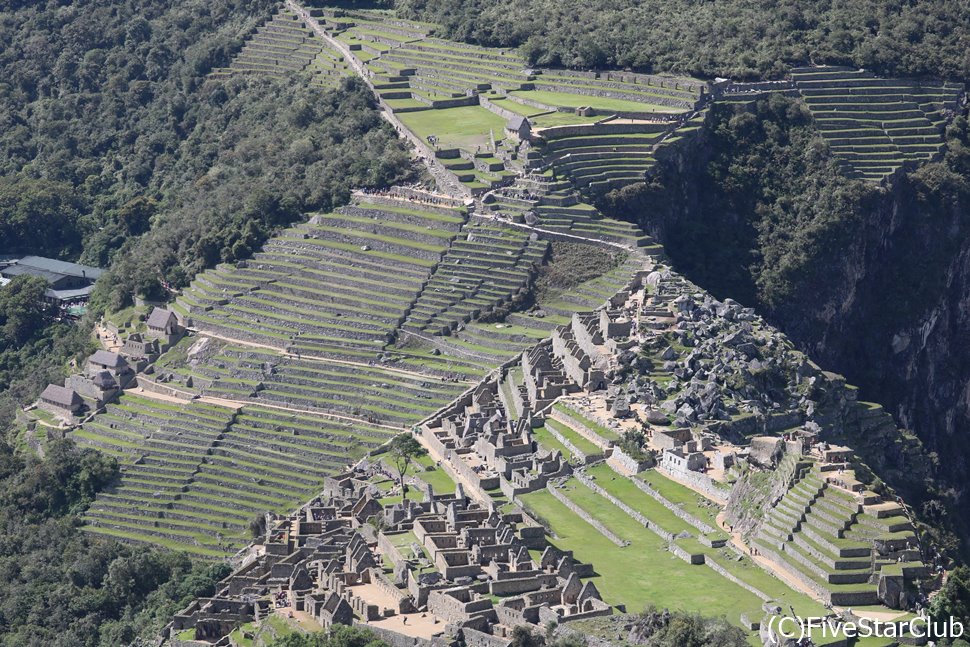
x=463, y=568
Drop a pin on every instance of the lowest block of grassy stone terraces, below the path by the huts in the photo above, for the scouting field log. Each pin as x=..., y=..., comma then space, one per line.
x=195, y=474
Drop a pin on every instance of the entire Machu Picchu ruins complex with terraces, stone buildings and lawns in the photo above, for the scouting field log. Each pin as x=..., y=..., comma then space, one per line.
x=595, y=433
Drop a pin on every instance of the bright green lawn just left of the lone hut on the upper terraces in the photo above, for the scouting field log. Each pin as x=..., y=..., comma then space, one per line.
x=465, y=127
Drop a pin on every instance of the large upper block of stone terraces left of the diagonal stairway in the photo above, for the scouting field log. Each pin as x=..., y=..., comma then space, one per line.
x=336, y=287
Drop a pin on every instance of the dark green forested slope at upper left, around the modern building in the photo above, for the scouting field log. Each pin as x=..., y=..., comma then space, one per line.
x=115, y=150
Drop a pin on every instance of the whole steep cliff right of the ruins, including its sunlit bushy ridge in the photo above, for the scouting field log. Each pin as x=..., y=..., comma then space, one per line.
x=873, y=282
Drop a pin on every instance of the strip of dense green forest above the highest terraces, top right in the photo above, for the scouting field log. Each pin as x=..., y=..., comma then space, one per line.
x=738, y=38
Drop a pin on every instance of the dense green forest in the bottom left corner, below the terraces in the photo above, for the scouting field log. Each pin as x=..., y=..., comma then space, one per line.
x=63, y=588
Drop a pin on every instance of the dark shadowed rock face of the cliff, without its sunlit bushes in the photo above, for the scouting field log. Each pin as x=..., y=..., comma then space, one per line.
x=887, y=305
